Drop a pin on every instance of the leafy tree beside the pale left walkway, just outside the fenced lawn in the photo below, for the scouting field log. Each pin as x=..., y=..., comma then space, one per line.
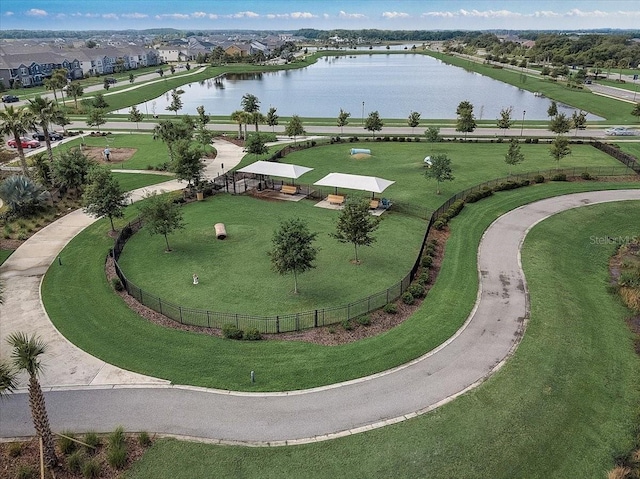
x=103, y=195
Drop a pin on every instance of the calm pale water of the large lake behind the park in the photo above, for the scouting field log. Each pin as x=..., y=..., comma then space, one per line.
x=394, y=85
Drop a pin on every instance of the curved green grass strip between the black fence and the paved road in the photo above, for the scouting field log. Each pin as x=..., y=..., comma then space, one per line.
x=100, y=323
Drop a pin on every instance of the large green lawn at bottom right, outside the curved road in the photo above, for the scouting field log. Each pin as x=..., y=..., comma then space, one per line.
x=563, y=406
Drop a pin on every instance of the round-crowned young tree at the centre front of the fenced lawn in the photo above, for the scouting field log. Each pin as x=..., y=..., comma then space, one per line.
x=293, y=251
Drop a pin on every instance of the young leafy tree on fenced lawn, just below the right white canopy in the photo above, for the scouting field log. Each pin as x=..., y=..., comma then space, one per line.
x=356, y=225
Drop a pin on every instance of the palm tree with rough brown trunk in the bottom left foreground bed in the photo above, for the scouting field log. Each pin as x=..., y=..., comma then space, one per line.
x=26, y=357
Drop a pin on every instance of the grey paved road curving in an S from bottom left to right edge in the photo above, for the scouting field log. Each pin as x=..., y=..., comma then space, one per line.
x=483, y=344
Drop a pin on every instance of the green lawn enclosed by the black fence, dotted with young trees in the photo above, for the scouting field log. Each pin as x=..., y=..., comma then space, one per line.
x=236, y=275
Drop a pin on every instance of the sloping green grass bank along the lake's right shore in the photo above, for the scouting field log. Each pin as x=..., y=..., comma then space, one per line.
x=613, y=110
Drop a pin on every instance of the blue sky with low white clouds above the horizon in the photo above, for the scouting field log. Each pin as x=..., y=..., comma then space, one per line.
x=327, y=14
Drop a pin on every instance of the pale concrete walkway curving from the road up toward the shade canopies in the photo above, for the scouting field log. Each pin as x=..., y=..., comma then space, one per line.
x=22, y=273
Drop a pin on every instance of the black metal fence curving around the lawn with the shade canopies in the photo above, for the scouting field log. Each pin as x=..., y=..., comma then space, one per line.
x=326, y=316
